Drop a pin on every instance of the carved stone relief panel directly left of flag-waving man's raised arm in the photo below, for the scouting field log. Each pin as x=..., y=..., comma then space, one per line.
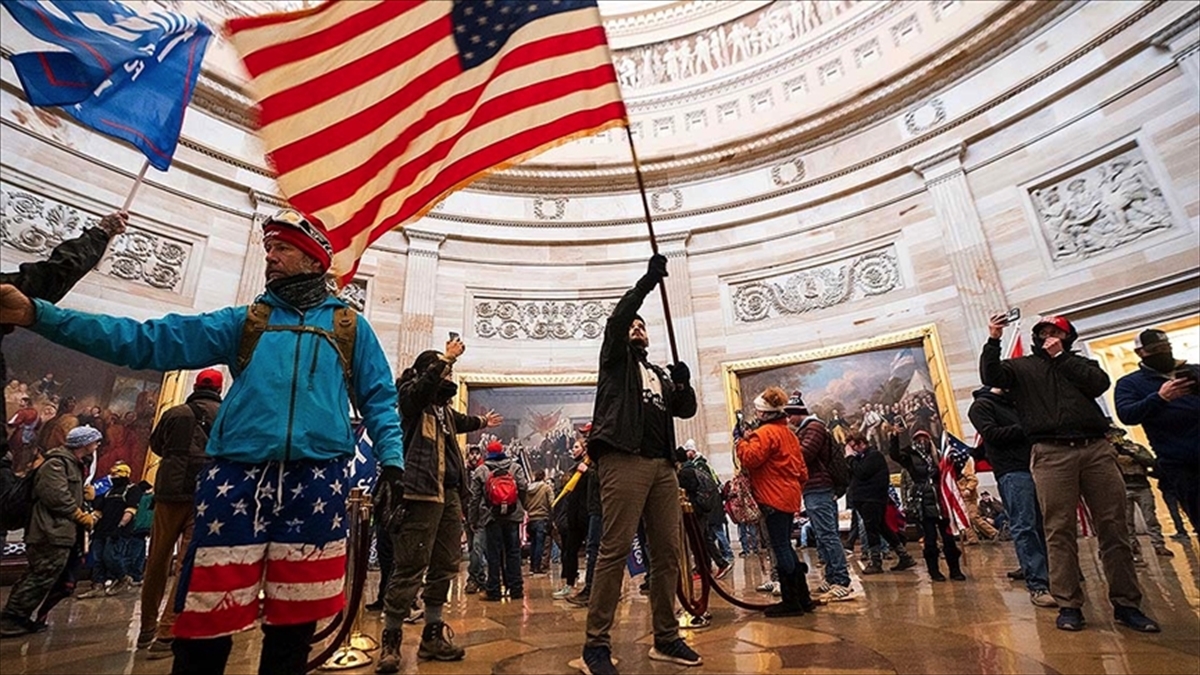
x=542, y=320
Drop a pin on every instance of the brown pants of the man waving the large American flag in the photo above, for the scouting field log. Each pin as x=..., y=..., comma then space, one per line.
x=634, y=488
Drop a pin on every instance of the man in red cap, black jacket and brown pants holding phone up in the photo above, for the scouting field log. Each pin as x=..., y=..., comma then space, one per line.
x=1054, y=391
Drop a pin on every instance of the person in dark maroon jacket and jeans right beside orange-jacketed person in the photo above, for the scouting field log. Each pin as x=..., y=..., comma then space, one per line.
x=829, y=480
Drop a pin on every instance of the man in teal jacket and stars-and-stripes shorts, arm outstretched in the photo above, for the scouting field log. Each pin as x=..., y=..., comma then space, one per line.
x=271, y=507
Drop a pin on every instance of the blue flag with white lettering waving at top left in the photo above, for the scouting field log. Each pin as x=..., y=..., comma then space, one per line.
x=122, y=74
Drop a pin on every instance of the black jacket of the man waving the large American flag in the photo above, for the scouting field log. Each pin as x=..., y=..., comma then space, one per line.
x=617, y=417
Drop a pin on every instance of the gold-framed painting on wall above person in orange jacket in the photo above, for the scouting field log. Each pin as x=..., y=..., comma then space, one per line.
x=899, y=380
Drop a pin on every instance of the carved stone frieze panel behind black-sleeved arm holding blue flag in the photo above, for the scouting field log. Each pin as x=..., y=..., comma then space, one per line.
x=35, y=224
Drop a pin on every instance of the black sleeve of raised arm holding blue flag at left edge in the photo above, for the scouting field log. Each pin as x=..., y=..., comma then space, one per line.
x=51, y=279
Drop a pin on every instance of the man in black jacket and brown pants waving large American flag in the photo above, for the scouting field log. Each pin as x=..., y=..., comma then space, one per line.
x=633, y=444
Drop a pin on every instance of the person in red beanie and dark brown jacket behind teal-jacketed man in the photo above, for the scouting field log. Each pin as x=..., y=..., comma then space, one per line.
x=179, y=440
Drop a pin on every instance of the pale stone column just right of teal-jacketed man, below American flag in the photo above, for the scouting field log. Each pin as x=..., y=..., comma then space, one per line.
x=421, y=295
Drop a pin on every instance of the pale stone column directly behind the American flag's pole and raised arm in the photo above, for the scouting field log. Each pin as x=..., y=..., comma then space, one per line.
x=679, y=285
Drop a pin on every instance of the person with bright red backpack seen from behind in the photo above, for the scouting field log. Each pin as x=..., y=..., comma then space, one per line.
x=499, y=489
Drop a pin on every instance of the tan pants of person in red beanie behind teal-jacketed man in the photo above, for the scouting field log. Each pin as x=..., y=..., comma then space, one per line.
x=173, y=522
